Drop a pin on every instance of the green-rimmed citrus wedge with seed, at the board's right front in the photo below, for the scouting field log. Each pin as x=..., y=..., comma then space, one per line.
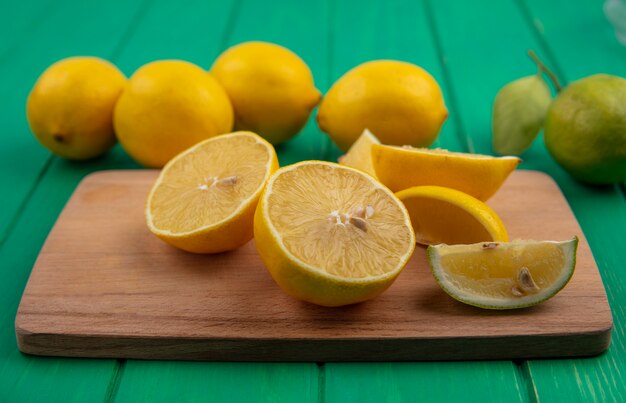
x=509, y=275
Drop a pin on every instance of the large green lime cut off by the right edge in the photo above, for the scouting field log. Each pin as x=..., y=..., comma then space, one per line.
x=585, y=129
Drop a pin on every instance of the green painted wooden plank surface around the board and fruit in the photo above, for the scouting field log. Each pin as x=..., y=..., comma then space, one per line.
x=471, y=47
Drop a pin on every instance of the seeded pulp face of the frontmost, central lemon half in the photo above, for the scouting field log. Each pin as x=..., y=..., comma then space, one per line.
x=338, y=222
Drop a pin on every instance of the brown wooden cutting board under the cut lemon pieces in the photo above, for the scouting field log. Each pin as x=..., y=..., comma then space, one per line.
x=104, y=286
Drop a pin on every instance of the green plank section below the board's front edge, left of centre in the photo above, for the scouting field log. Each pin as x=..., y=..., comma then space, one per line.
x=217, y=382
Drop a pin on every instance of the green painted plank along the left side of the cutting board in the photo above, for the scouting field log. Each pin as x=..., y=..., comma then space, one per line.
x=30, y=378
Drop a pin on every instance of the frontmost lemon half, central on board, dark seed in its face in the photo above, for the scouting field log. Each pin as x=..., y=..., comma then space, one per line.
x=331, y=235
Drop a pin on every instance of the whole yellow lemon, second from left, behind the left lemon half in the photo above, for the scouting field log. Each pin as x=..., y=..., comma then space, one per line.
x=167, y=107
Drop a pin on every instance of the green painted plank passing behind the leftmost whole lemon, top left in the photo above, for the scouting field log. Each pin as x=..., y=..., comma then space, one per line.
x=68, y=29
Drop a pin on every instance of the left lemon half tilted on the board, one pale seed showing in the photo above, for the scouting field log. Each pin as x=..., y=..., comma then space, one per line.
x=204, y=199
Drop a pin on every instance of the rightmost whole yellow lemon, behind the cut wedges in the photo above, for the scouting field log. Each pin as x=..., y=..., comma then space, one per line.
x=399, y=102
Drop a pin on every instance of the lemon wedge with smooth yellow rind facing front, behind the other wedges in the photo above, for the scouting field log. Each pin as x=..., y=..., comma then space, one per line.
x=478, y=175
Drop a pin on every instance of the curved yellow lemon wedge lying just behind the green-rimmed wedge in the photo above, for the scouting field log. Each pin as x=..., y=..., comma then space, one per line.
x=444, y=215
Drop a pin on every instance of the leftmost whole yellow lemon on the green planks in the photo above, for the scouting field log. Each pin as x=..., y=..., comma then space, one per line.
x=70, y=108
